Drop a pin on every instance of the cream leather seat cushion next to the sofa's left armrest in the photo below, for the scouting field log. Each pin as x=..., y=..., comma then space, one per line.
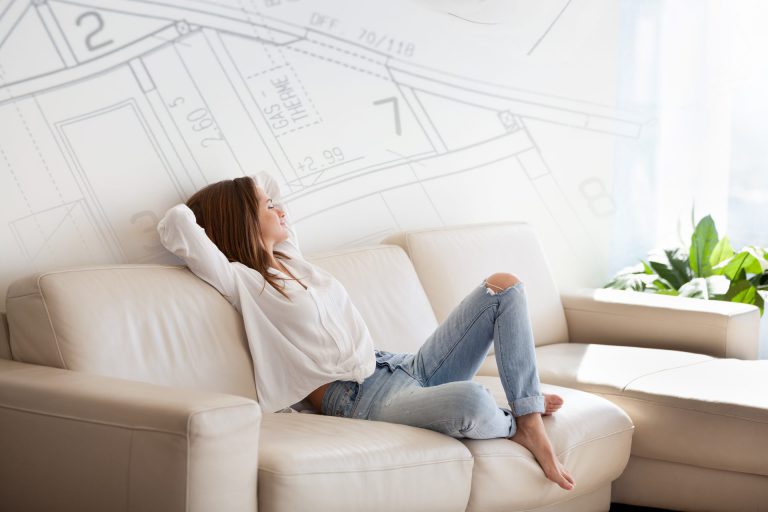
x=314, y=462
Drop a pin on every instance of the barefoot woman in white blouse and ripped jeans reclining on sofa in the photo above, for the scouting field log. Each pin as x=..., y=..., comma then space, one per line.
x=309, y=343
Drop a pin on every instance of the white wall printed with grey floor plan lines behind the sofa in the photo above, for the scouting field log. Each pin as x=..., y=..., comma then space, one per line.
x=394, y=115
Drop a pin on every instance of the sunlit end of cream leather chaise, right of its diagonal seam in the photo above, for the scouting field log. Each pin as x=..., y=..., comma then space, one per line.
x=713, y=414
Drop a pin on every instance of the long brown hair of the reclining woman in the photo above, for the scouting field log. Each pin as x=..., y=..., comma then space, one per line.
x=228, y=212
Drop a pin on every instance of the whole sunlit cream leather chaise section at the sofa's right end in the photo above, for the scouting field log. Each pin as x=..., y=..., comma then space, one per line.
x=677, y=400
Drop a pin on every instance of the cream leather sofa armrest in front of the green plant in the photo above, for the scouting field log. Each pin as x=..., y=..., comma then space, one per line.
x=620, y=317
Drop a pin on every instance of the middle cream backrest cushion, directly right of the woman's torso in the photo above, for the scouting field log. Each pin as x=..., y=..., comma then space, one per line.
x=385, y=289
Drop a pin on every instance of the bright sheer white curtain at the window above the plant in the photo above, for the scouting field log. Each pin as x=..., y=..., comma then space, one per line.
x=698, y=69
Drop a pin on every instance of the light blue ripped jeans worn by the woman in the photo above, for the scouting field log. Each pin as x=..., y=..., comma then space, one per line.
x=433, y=388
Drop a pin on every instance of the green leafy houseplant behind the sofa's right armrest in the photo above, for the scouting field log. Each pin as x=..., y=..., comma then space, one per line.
x=709, y=269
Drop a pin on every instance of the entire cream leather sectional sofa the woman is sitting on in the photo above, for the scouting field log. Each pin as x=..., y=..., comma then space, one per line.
x=130, y=388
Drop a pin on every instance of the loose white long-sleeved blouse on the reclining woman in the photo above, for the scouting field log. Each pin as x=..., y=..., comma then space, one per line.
x=298, y=345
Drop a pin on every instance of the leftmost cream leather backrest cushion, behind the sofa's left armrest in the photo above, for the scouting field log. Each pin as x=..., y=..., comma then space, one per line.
x=151, y=323
